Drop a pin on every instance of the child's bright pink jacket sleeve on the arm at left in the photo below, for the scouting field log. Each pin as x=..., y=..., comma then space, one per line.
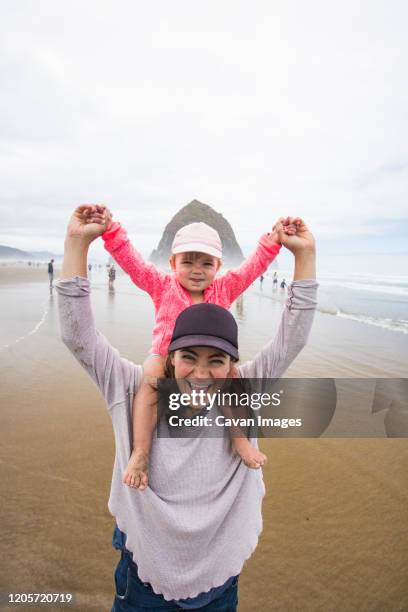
x=144, y=275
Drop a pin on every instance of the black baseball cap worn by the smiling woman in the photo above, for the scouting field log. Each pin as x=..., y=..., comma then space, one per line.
x=206, y=325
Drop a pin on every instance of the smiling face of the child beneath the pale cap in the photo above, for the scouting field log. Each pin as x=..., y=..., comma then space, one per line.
x=195, y=271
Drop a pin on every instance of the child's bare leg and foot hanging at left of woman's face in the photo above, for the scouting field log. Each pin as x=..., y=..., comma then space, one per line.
x=144, y=420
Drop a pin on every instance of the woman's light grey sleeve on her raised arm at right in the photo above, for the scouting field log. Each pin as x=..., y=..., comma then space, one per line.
x=292, y=335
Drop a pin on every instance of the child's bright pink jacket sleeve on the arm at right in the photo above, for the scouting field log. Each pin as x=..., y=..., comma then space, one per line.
x=234, y=282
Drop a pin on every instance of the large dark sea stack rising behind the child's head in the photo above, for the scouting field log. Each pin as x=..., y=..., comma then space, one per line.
x=197, y=211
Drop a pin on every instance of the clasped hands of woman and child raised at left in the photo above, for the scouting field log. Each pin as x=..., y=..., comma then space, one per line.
x=88, y=222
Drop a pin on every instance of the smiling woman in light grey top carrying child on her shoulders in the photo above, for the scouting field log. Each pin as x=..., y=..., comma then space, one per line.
x=191, y=531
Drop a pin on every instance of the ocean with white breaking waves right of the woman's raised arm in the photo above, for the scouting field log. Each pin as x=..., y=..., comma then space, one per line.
x=372, y=290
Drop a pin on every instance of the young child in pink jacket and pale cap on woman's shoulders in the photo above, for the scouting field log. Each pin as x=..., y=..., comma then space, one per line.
x=196, y=257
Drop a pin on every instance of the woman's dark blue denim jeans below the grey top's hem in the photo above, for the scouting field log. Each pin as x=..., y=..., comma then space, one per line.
x=132, y=595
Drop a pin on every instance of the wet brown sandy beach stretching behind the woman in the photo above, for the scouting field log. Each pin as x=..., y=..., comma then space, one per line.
x=335, y=531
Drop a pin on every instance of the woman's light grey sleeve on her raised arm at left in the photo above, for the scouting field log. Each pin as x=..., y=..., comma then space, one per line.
x=113, y=375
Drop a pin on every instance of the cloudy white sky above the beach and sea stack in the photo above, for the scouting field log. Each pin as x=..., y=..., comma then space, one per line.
x=258, y=108
